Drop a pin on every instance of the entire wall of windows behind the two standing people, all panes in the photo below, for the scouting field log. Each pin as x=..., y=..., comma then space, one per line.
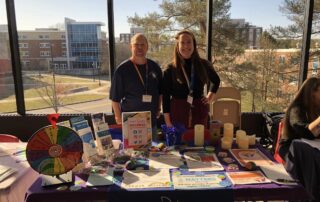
x=256, y=47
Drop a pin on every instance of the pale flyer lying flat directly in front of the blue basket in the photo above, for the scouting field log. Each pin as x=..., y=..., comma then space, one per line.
x=165, y=160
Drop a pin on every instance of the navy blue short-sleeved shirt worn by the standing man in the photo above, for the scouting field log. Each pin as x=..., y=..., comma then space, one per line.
x=127, y=88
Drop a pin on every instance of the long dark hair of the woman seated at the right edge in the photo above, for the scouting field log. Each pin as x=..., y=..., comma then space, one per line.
x=304, y=99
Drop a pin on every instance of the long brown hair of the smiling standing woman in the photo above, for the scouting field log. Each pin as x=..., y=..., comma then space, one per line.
x=198, y=63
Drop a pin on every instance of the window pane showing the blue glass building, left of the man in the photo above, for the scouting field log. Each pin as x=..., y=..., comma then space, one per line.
x=66, y=68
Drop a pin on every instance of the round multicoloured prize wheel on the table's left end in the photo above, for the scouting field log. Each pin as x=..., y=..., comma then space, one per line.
x=54, y=150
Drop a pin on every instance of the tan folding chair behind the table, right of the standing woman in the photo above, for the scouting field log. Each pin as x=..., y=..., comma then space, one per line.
x=227, y=106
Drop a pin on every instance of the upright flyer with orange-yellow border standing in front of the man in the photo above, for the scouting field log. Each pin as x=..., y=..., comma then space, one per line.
x=137, y=130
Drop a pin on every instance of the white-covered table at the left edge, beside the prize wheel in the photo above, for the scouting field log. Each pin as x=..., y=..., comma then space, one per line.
x=14, y=187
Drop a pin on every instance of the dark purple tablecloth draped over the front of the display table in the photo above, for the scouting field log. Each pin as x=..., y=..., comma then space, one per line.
x=264, y=192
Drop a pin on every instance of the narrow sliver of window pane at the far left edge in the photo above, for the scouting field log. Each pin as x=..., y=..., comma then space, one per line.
x=7, y=95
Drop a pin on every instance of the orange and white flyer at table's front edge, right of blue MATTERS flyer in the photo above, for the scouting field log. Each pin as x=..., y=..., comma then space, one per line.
x=247, y=177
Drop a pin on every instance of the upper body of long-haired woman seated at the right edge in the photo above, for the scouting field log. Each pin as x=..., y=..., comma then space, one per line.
x=302, y=119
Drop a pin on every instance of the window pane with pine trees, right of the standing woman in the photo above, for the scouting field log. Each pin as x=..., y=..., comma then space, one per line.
x=256, y=50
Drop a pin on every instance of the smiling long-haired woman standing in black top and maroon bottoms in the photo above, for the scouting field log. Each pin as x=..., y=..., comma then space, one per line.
x=184, y=79
